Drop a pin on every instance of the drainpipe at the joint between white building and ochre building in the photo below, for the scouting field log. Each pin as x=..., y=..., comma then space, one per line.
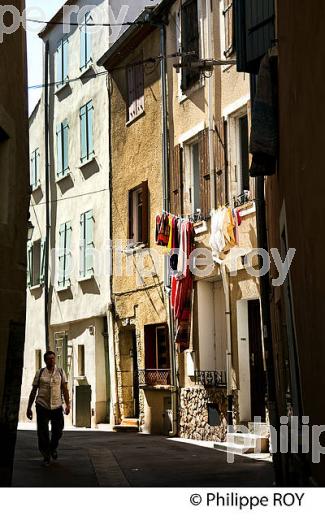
x=114, y=411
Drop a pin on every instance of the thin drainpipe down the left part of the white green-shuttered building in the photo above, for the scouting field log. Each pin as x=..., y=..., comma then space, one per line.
x=47, y=200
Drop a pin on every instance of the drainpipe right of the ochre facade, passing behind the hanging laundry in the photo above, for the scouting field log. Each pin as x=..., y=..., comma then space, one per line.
x=165, y=172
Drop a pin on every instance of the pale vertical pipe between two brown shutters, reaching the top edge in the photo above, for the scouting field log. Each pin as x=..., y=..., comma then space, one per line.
x=210, y=81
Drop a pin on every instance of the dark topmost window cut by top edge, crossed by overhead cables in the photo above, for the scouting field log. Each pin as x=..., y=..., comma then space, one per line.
x=190, y=43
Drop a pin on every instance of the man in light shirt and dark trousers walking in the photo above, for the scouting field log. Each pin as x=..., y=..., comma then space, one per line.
x=49, y=384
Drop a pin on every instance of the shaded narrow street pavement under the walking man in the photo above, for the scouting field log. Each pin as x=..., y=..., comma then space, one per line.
x=91, y=459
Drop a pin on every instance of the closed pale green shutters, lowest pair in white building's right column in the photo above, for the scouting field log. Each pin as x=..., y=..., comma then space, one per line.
x=86, y=245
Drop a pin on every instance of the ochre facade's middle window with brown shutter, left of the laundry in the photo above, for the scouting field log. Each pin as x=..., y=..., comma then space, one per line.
x=138, y=214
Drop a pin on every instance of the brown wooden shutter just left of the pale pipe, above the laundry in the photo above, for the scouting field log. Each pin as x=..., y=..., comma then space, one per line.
x=205, y=197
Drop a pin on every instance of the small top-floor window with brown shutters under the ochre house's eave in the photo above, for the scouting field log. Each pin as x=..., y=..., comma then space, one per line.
x=135, y=82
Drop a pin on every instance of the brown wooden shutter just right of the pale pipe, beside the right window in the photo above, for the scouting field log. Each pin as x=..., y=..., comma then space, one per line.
x=221, y=195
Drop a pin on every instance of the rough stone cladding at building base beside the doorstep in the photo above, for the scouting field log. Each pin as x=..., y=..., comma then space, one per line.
x=193, y=413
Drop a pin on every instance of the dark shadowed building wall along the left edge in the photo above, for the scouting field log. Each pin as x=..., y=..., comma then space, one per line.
x=14, y=201
